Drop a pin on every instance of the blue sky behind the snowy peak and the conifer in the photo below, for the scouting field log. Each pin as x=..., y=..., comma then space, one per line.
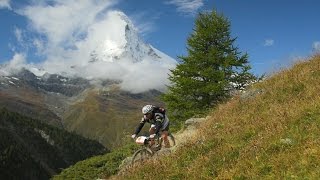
x=273, y=32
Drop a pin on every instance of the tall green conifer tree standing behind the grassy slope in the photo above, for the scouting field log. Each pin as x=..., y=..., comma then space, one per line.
x=209, y=73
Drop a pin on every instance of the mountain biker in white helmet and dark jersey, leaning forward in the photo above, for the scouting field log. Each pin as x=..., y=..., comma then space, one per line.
x=159, y=123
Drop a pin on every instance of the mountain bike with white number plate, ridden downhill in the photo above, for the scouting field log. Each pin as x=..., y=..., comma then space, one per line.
x=148, y=149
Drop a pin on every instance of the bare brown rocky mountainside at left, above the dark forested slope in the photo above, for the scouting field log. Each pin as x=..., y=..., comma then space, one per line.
x=44, y=98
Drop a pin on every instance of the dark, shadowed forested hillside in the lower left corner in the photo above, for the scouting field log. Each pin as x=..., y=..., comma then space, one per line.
x=30, y=149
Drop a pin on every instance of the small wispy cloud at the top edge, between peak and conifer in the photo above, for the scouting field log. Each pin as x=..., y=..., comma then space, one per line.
x=186, y=6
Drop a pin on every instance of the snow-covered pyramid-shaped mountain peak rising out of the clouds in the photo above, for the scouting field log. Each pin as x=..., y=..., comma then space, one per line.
x=126, y=45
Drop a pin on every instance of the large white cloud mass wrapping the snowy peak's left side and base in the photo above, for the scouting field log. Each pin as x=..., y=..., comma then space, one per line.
x=67, y=32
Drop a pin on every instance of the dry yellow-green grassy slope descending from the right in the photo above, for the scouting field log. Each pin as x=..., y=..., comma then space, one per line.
x=273, y=135
